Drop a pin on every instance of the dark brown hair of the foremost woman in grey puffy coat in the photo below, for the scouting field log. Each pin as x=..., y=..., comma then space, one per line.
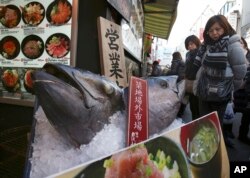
x=222, y=20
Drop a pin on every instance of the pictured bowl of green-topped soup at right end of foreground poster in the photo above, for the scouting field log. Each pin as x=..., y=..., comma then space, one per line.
x=201, y=141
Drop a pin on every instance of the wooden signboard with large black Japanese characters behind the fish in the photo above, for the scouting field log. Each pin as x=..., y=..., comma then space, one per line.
x=111, y=52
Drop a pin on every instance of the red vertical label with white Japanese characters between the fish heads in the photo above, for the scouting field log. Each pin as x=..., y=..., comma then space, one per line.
x=137, y=111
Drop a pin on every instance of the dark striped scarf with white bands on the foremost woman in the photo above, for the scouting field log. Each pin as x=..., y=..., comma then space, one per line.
x=216, y=56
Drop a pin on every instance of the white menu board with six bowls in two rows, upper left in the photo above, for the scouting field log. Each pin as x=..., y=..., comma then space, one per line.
x=33, y=33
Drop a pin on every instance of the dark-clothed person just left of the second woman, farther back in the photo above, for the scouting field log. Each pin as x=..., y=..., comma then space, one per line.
x=177, y=66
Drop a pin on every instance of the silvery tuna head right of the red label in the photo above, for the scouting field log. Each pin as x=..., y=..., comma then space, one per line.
x=164, y=97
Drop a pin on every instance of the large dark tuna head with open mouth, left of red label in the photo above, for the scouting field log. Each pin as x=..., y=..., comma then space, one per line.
x=77, y=103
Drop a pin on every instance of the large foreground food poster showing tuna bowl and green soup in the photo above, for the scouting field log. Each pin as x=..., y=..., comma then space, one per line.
x=194, y=150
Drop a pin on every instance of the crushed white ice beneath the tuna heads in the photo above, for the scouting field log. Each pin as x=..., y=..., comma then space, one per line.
x=51, y=154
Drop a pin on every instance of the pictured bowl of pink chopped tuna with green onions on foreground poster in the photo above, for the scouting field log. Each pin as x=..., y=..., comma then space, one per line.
x=158, y=158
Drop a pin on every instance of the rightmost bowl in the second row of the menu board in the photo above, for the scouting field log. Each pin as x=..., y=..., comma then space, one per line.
x=58, y=45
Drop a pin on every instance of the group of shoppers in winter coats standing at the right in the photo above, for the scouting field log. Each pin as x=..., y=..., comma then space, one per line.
x=217, y=68
